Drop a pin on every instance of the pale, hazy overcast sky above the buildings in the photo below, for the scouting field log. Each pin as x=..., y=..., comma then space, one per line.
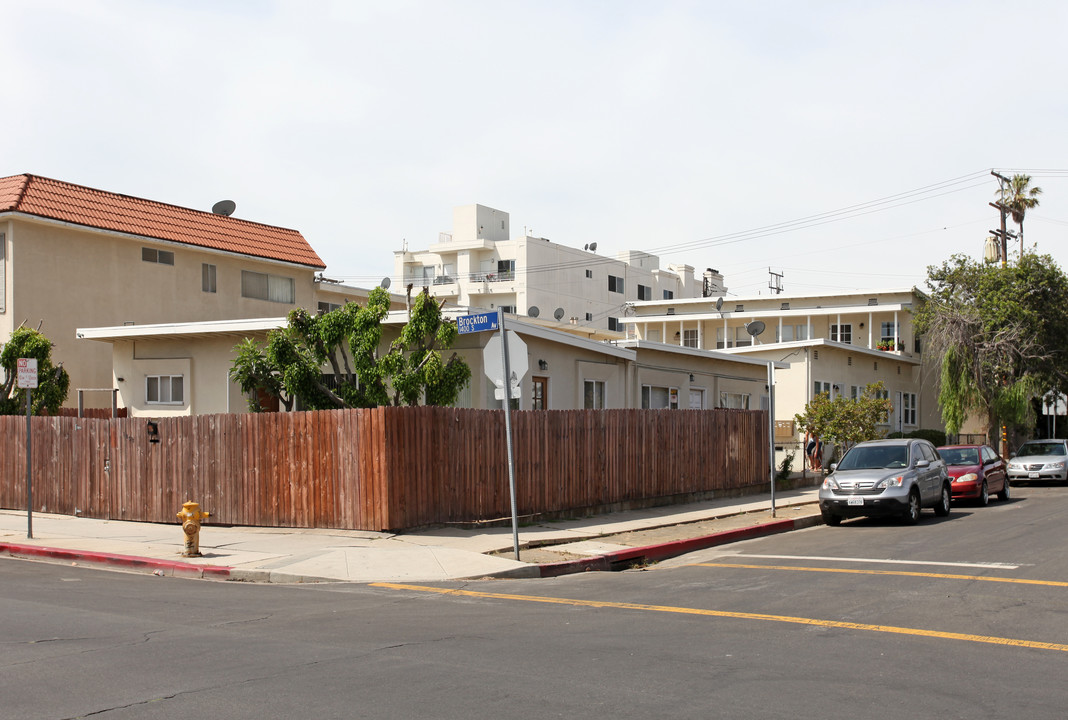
x=842, y=145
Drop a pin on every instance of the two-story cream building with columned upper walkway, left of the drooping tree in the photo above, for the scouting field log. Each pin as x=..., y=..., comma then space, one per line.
x=836, y=345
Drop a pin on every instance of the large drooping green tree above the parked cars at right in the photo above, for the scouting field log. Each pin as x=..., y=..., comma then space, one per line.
x=996, y=335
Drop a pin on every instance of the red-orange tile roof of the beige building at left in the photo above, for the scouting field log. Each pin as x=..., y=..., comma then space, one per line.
x=41, y=197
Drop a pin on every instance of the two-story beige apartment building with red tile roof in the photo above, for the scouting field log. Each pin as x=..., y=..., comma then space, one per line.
x=75, y=257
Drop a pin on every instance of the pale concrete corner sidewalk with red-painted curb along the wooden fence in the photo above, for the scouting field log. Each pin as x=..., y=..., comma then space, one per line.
x=284, y=555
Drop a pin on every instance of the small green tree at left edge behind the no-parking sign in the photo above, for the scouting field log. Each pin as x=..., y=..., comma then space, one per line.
x=54, y=383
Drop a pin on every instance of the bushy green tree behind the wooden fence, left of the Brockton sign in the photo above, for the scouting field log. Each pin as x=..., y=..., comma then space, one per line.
x=349, y=340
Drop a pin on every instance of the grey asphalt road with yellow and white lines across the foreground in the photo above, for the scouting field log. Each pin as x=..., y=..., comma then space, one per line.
x=962, y=618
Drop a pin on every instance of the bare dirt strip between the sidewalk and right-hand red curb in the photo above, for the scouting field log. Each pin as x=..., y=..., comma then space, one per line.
x=667, y=535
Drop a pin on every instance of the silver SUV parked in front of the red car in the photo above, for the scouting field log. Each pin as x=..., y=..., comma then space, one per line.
x=897, y=478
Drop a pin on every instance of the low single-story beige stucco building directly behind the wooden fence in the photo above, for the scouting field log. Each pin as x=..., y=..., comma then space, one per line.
x=567, y=371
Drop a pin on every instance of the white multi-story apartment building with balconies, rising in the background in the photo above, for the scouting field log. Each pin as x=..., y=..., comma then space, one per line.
x=480, y=265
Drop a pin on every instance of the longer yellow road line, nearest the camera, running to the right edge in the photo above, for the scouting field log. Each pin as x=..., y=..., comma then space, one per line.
x=740, y=616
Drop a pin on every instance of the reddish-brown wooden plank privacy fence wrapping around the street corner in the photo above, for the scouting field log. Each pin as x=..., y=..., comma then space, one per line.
x=379, y=469
